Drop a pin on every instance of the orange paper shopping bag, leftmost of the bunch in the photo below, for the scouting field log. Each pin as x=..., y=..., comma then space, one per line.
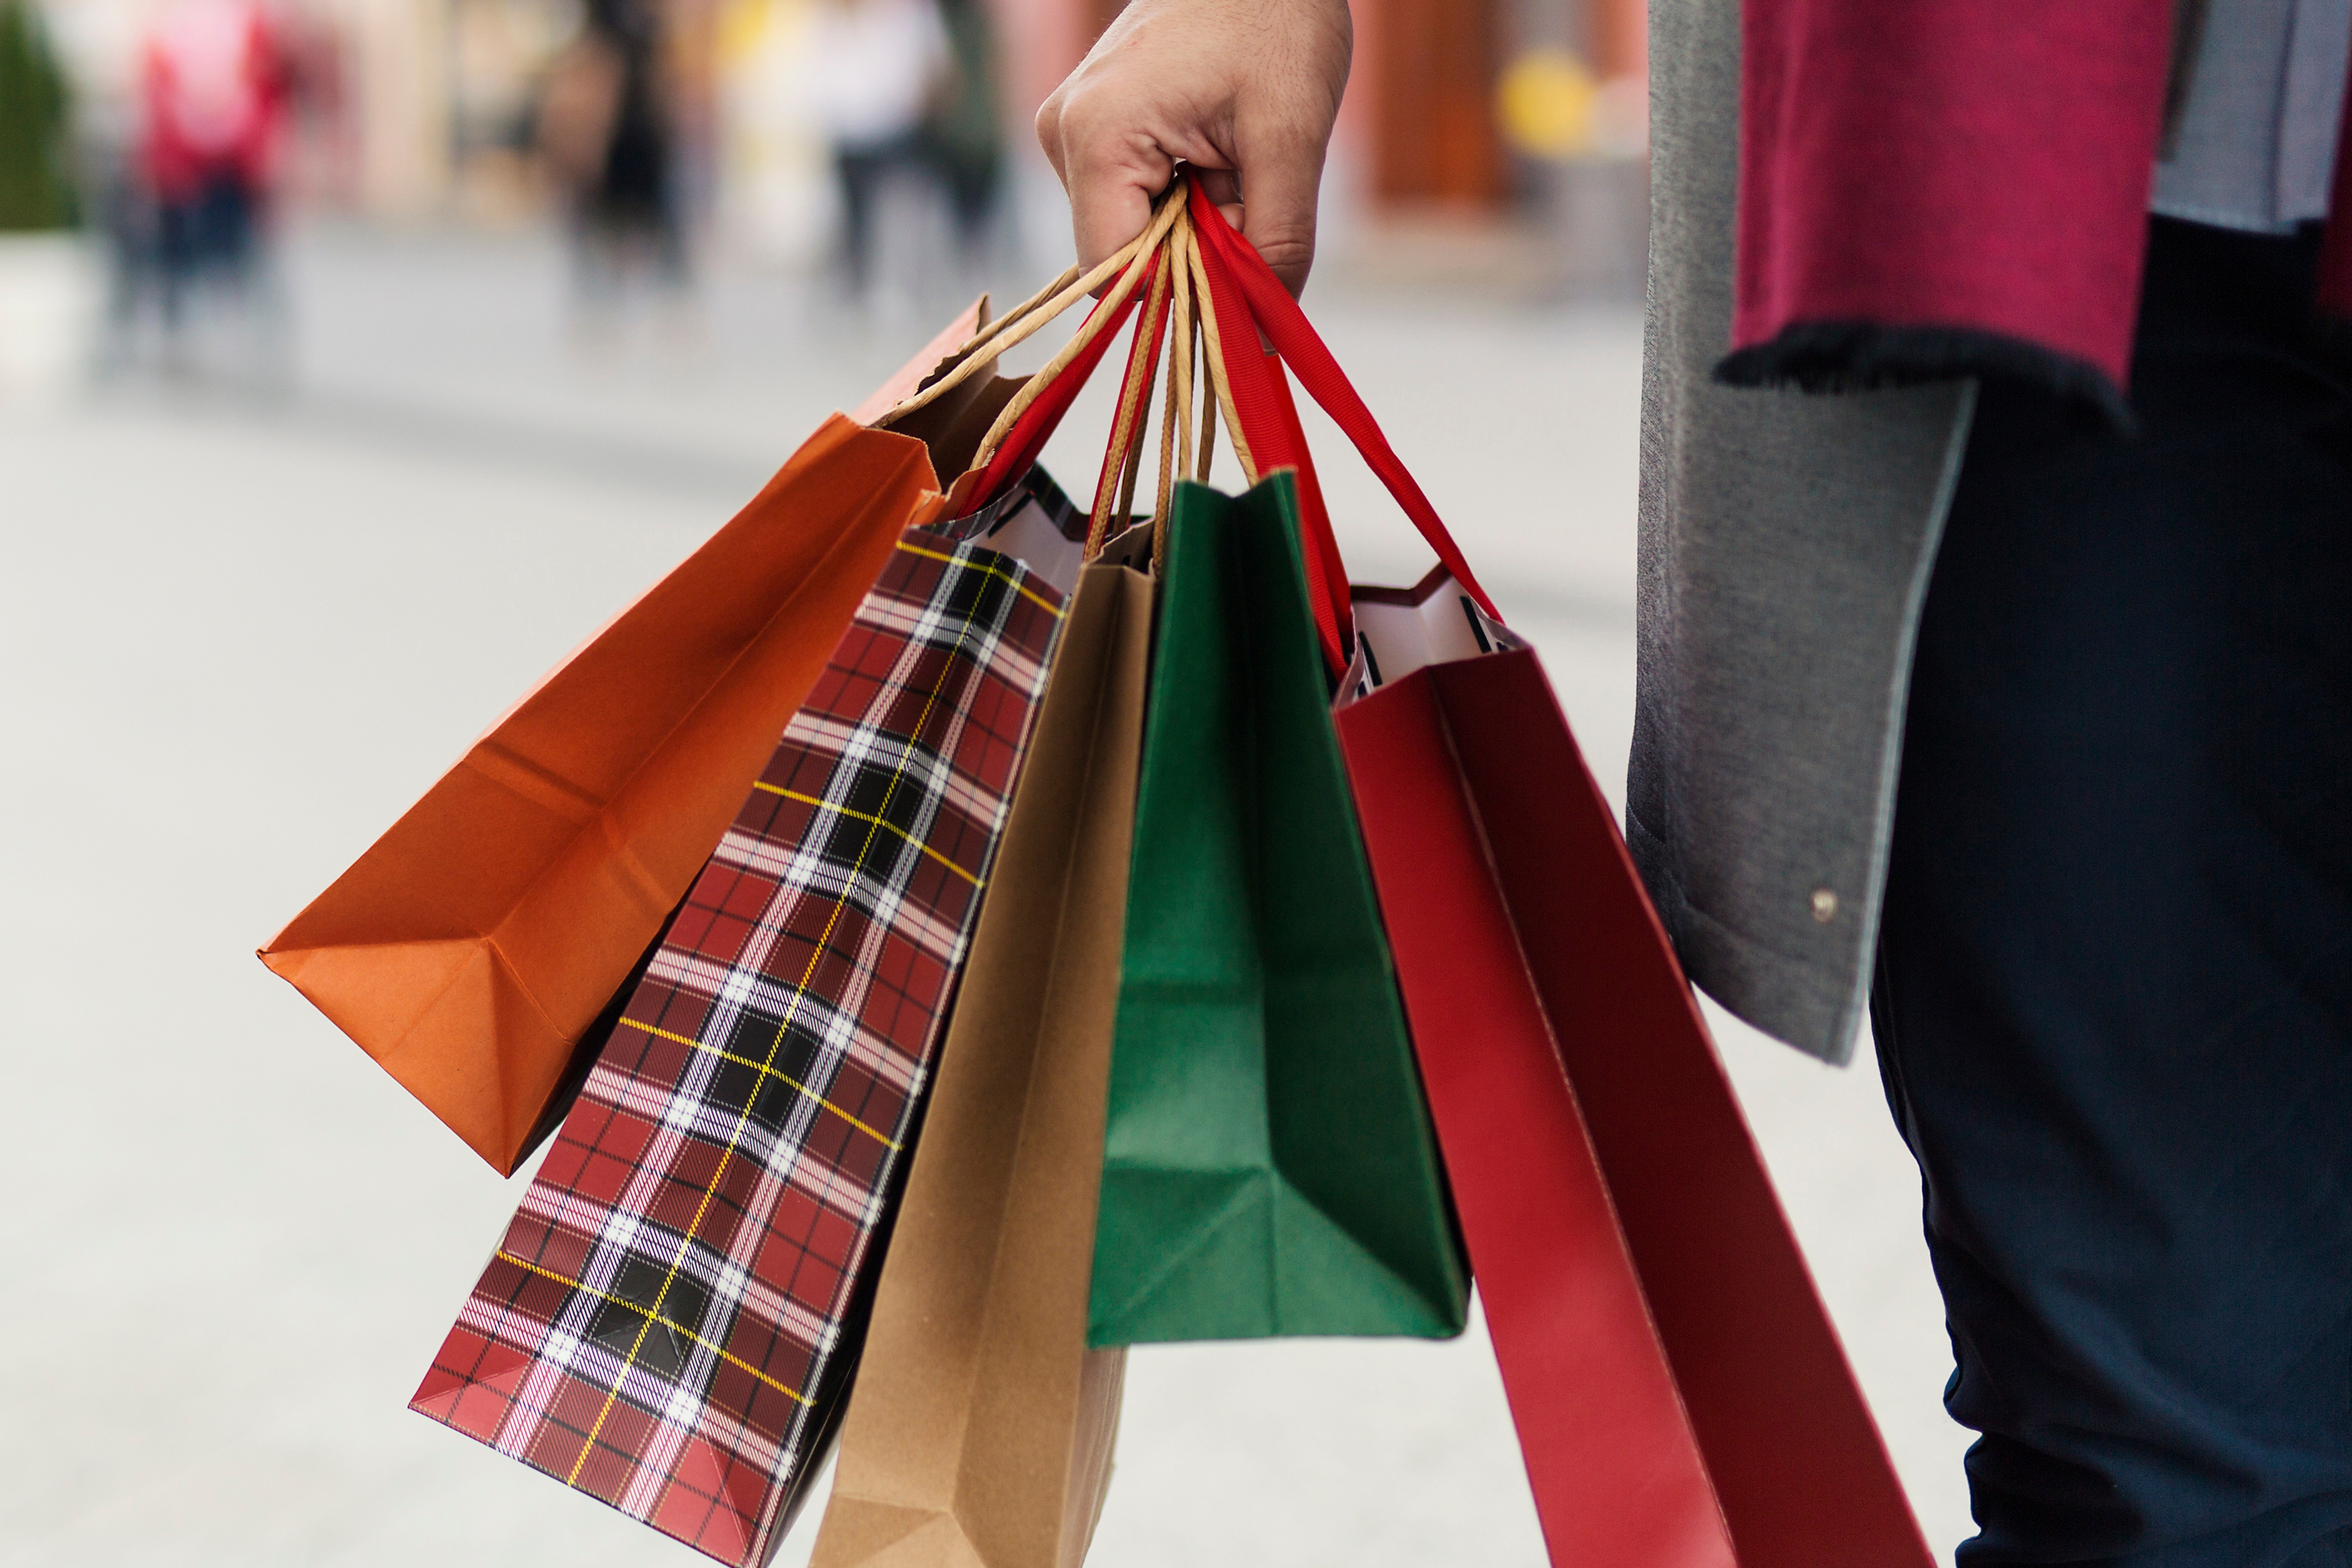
x=476, y=944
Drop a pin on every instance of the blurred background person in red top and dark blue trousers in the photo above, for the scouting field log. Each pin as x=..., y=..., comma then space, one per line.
x=213, y=88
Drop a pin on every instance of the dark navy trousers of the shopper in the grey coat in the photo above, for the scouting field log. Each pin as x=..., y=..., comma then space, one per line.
x=2116, y=977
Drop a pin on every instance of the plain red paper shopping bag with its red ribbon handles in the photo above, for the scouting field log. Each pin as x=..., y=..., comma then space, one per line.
x=1678, y=1388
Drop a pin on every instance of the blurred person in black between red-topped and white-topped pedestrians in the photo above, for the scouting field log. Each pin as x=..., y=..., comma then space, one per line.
x=608, y=135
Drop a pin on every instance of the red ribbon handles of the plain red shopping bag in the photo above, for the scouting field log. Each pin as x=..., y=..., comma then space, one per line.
x=1243, y=286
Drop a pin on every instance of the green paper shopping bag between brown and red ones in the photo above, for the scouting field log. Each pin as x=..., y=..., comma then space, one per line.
x=1269, y=1165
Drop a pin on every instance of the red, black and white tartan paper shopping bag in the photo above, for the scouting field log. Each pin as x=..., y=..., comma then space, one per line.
x=664, y=1322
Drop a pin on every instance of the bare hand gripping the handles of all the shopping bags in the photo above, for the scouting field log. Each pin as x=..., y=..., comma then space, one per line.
x=1245, y=91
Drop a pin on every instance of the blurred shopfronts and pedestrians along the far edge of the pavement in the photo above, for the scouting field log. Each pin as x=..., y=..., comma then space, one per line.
x=185, y=185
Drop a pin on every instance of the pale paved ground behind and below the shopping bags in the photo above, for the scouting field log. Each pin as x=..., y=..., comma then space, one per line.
x=243, y=636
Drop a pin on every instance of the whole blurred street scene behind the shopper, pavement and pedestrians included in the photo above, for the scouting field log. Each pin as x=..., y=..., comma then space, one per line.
x=363, y=356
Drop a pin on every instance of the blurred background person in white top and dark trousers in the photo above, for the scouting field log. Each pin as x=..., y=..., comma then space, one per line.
x=876, y=69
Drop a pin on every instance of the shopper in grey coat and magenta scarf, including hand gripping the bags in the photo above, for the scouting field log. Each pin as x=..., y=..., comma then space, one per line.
x=1996, y=664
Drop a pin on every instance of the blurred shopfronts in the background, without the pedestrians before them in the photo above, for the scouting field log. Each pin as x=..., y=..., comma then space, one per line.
x=1499, y=138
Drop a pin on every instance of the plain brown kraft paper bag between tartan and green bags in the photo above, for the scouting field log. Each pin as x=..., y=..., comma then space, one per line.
x=982, y=1426
